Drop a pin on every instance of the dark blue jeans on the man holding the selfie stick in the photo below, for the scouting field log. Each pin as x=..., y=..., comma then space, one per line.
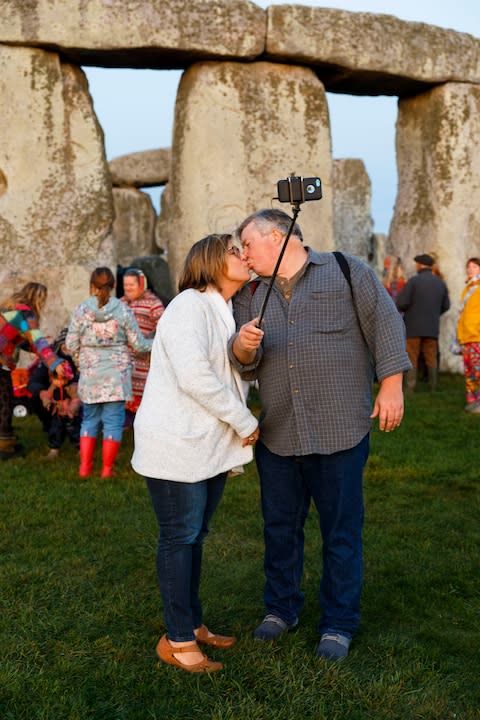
x=334, y=482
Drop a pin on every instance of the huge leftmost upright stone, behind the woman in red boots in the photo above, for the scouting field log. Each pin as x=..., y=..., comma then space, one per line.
x=56, y=205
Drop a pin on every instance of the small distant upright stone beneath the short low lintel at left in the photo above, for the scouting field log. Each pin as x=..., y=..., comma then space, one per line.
x=134, y=224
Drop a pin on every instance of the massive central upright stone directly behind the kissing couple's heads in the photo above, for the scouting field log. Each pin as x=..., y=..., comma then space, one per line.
x=239, y=128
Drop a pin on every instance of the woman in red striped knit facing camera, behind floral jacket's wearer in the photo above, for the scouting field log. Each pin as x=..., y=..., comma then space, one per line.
x=148, y=309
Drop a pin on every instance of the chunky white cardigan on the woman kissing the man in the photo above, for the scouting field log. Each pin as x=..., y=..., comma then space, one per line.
x=193, y=413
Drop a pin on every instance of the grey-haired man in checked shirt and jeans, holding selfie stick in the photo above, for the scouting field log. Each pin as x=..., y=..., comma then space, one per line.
x=315, y=370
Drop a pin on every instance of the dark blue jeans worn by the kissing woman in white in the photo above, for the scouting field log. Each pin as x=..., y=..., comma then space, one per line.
x=183, y=511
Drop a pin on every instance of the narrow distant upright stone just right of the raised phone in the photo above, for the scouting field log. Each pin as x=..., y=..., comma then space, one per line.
x=352, y=196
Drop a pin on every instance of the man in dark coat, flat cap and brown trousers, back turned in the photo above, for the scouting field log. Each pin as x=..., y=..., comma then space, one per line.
x=423, y=299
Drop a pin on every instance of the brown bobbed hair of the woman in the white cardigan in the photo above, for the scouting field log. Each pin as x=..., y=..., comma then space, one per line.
x=205, y=263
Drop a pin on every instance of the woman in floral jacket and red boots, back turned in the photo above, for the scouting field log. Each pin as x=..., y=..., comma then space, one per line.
x=100, y=332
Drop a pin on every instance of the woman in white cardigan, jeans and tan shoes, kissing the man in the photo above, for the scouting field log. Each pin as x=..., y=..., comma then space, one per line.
x=192, y=427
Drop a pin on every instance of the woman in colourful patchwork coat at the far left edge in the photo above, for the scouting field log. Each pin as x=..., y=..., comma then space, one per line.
x=19, y=321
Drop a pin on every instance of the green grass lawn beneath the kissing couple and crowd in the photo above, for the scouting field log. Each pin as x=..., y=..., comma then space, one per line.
x=80, y=611
